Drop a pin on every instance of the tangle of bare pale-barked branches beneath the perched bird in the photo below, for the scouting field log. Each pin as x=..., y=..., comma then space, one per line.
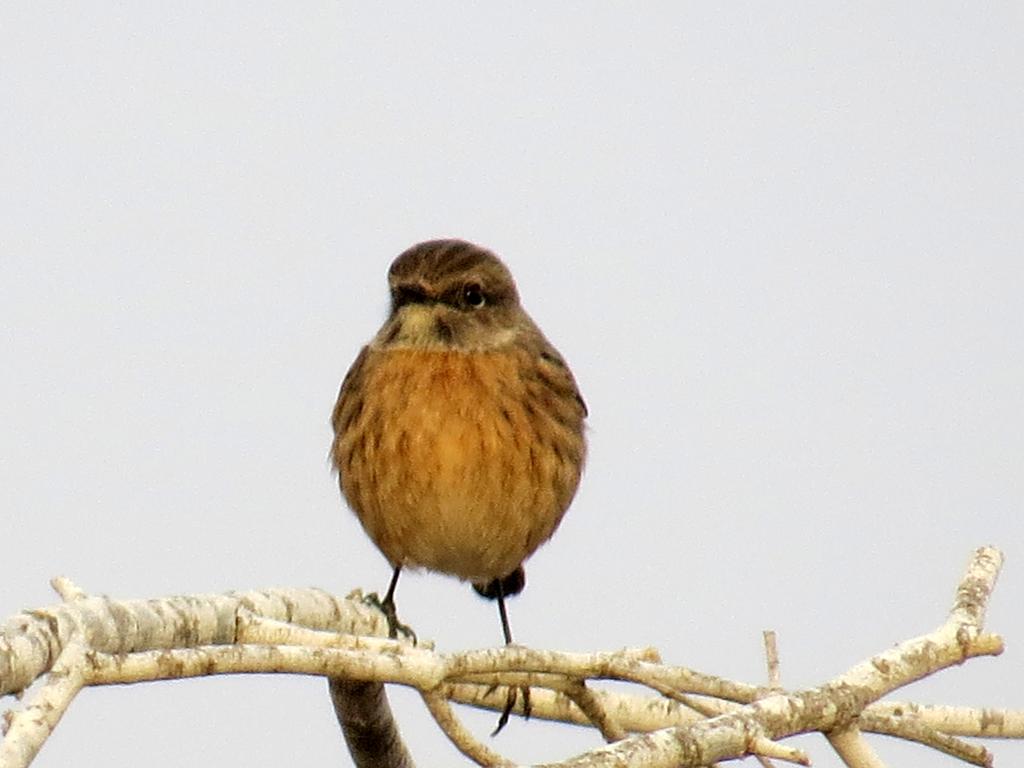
x=697, y=720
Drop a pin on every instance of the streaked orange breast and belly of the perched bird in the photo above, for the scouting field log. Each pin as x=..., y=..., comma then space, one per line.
x=459, y=462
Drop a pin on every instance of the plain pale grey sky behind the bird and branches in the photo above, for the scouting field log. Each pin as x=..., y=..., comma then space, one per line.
x=780, y=245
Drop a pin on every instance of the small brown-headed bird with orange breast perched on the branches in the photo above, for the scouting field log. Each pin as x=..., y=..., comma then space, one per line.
x=459, y=430
